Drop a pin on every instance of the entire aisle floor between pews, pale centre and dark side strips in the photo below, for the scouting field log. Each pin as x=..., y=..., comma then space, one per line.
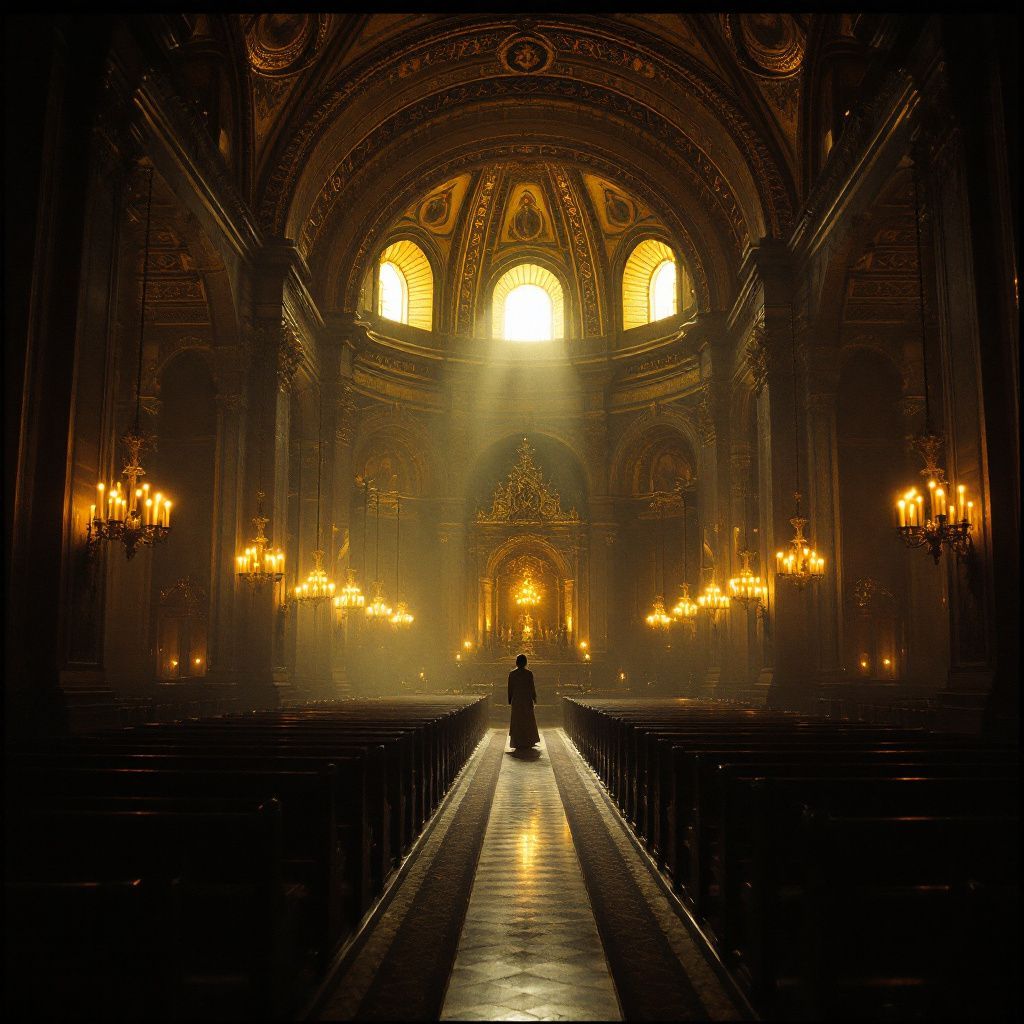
x=502, y=862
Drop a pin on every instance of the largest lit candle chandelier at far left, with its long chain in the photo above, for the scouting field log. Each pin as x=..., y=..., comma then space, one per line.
x=135, y=517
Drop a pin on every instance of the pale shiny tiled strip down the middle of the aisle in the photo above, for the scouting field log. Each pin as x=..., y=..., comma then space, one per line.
x=530, y=947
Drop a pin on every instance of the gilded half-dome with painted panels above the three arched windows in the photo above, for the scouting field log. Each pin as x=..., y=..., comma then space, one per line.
x=477, y=226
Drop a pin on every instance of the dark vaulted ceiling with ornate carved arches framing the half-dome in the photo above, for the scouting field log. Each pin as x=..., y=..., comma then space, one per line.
x=355, y=119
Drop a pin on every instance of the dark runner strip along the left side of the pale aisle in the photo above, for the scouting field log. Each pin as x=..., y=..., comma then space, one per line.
x=410, y=984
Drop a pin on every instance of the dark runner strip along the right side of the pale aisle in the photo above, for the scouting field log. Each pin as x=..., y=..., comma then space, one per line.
x=652, y=983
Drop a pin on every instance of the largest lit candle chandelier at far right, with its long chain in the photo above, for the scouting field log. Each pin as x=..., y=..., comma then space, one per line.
x=950, y=517
